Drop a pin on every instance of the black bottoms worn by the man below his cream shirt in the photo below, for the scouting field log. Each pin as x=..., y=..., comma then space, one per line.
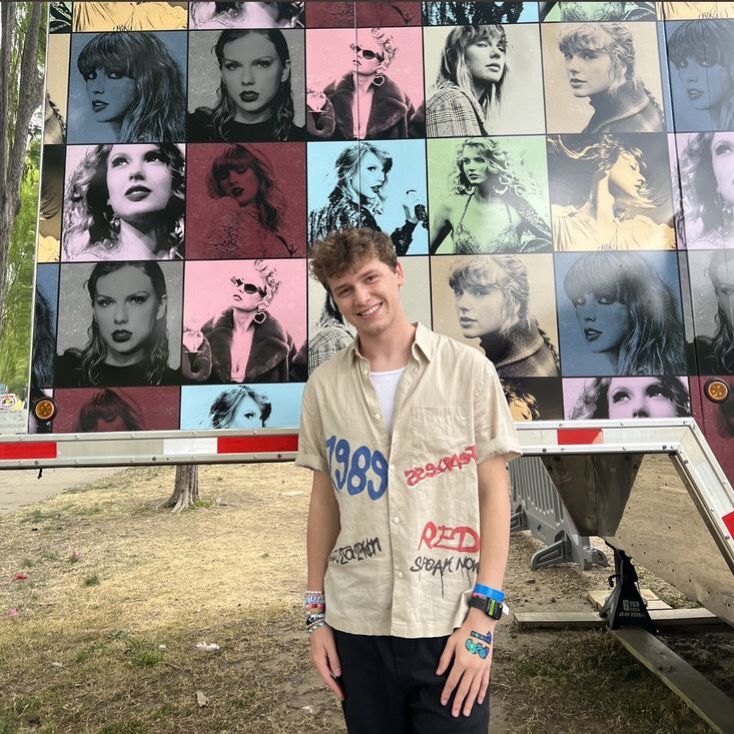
x=391, y=687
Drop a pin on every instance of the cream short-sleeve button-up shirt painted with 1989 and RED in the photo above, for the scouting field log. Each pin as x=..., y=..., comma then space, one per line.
x=406, y=557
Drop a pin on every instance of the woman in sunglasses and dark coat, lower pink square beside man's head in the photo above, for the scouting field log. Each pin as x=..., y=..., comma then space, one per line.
x=244, y=343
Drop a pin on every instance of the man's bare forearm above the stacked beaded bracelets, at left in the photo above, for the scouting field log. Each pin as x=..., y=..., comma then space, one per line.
x=322, y=530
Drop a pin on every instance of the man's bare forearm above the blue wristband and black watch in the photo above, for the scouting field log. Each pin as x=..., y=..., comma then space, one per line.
x=494, y=520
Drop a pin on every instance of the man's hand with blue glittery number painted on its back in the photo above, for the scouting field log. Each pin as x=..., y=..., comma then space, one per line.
x=469, y=675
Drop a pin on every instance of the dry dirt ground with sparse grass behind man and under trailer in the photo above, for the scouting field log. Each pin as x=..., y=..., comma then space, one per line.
x=102, y=634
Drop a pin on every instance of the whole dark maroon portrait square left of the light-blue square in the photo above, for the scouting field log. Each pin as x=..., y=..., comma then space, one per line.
x=246, y=200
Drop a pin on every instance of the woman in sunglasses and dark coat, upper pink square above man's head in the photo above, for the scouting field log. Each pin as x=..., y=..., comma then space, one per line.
x=365, y=103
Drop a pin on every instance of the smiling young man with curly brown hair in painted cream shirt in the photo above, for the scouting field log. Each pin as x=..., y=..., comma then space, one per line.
x=408, y=435
